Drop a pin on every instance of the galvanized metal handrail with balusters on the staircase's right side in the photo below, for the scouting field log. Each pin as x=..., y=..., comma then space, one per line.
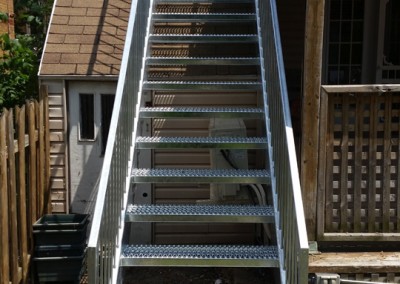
x=289, y=213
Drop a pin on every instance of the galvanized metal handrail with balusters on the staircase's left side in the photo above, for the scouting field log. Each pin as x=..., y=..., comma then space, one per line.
x=105, y=238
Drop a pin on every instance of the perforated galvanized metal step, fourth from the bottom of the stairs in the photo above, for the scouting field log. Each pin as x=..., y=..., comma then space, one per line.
x=201, y=142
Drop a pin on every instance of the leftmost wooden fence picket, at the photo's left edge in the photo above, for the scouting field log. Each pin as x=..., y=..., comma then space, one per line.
x=4, y=237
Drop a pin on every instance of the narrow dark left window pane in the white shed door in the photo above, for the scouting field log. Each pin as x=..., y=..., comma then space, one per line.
x=86, y=125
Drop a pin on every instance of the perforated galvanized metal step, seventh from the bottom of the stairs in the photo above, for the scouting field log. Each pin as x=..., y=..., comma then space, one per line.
x=202, y=61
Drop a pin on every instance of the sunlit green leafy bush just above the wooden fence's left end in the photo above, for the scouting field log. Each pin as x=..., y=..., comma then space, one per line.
x=18, y=71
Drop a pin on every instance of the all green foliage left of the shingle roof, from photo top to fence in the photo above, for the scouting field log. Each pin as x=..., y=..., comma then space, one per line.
x=19, y=58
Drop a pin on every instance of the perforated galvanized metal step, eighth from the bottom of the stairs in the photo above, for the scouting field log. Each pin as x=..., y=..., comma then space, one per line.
x=203, y=38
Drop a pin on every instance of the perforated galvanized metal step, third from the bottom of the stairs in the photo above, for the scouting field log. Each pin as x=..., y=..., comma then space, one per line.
x=200, y=176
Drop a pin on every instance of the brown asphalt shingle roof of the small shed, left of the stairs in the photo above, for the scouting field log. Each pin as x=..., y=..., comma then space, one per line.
x=86, y=38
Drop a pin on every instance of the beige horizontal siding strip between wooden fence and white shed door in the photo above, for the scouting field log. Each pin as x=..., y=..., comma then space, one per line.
x=58, y=146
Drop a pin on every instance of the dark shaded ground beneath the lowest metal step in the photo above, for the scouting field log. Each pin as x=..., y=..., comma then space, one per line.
x=198, y=276
